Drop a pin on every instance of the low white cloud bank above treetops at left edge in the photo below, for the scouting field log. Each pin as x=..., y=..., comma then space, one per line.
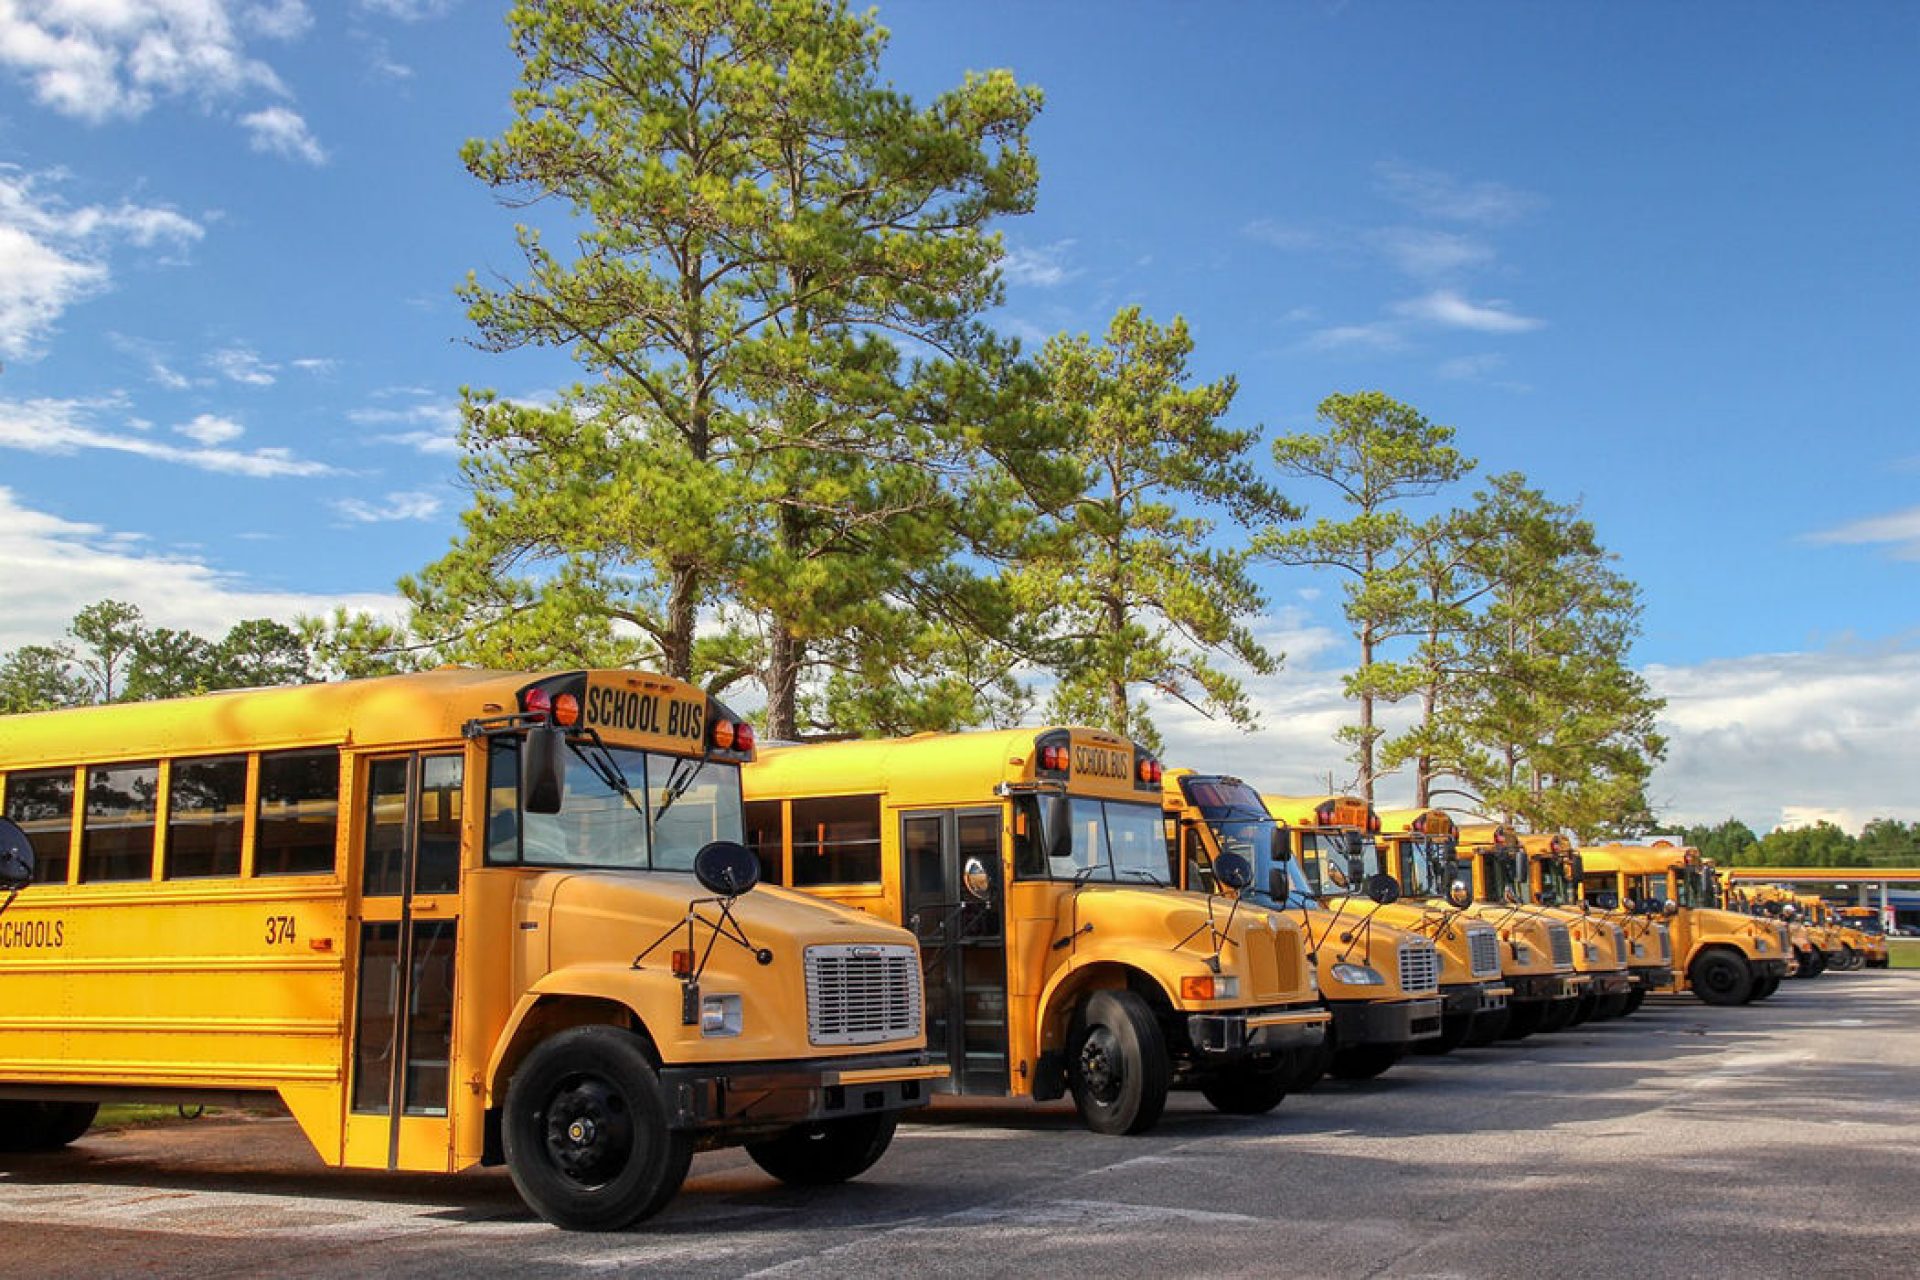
x=59, y=567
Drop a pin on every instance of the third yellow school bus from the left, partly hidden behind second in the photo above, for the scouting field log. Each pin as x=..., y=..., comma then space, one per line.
x=1380, y=984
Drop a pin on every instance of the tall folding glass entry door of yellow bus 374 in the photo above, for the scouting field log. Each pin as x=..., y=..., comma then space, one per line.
x=408, y=945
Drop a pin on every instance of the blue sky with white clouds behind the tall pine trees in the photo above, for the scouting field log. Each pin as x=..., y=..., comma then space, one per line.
x=1658, y=258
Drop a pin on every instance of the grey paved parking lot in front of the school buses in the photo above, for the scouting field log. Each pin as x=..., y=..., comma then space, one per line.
x=1775, y=1141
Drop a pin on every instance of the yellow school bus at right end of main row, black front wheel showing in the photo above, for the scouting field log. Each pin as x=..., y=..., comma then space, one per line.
x=1721, y=957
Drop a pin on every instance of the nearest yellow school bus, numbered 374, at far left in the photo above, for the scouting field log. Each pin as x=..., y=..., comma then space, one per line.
x=456, y=918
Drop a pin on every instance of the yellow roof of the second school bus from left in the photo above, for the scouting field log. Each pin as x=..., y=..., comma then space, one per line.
x=930, y=767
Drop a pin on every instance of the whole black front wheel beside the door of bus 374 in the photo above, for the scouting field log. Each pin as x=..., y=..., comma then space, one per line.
x=587, y=1137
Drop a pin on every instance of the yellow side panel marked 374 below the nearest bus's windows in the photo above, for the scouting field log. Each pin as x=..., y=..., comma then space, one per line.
x=176, y=987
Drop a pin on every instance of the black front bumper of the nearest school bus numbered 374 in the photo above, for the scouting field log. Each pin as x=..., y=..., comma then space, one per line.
x=715, y=1099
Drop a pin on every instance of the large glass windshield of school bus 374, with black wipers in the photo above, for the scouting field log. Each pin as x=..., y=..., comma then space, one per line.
x=671, y=809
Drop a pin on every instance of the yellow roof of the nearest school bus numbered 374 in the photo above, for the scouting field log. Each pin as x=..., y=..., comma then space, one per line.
x=385, y=709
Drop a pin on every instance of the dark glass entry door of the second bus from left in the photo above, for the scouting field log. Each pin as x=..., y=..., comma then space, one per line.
x=957, y=909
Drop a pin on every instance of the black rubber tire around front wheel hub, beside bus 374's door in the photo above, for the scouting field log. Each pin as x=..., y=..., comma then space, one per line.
x=656, y=1160
